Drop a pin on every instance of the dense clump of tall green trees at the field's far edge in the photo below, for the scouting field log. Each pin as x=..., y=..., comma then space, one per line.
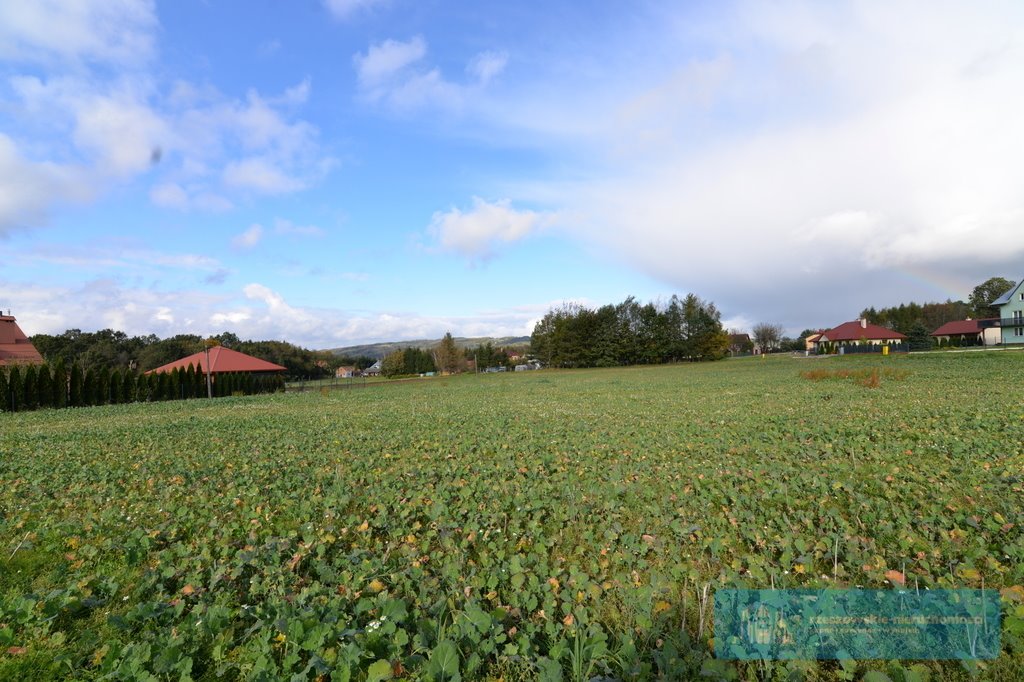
x=681, y=330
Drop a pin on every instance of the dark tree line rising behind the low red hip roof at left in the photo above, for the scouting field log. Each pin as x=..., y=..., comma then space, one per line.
x=113, y=350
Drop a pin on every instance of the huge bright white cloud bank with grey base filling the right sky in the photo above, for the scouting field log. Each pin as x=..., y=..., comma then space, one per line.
x=826, y=149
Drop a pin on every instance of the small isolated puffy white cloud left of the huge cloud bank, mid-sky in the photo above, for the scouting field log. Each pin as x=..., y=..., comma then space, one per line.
x=476, y=233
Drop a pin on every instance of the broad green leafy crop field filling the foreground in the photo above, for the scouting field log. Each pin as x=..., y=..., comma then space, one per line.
x=522, y=526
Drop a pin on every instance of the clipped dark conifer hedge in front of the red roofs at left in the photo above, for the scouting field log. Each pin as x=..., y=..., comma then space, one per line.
x=36, y=387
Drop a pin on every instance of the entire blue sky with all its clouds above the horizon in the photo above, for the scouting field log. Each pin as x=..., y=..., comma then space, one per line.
x=346, y=172
